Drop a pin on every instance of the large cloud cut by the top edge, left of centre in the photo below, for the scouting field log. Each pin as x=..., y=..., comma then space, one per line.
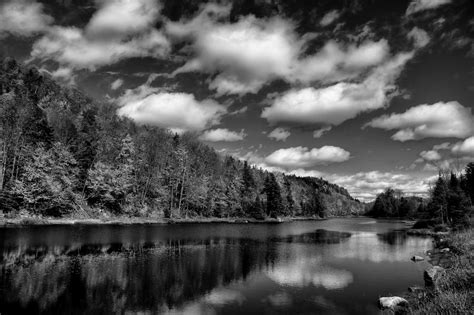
x=105, y=39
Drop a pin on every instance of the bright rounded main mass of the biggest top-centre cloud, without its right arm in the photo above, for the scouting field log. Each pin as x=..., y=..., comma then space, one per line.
x=245, y=54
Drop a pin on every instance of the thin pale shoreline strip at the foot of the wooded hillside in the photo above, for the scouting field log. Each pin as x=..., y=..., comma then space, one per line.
x=24, y=221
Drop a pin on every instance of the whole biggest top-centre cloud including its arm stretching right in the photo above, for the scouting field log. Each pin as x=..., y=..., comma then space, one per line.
x=247, y=54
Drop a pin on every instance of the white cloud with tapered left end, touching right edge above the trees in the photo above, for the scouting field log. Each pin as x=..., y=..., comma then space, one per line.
x=439, y=120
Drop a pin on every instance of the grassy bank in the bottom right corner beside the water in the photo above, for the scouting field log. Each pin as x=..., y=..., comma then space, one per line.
x=454, y=293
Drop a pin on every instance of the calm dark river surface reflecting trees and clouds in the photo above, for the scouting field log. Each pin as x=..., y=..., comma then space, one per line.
x=337, y=266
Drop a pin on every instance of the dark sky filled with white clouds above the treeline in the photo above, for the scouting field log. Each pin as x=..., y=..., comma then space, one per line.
x=366, y=94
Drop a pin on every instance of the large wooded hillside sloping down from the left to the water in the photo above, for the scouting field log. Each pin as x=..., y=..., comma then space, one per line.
x=65, y=155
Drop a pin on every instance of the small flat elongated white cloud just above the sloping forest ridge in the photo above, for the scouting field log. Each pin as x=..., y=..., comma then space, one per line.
x=297, y=157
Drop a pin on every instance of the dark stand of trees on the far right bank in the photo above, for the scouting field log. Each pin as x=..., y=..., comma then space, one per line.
x=451, y=200
